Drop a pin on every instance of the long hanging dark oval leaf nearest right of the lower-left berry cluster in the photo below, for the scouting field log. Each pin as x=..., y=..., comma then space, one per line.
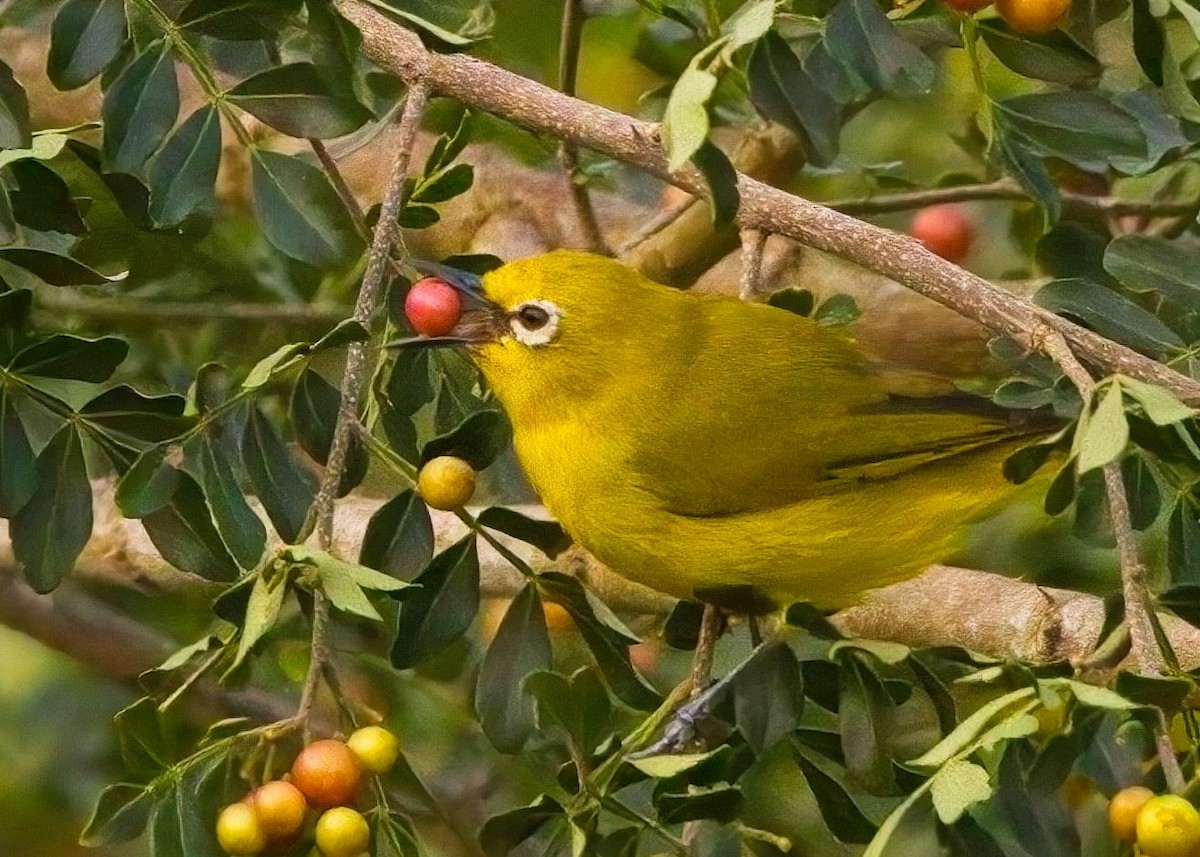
x=520, y=649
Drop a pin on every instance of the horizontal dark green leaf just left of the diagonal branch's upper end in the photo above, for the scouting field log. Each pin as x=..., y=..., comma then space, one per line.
x=297, y=100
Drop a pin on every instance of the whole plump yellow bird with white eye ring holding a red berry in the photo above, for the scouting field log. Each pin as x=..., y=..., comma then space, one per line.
x=719, y=451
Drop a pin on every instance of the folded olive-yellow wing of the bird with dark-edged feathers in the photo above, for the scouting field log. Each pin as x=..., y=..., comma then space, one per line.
x=794, y=410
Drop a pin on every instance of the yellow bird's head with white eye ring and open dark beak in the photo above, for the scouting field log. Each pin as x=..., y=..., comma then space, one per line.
x=553, y=332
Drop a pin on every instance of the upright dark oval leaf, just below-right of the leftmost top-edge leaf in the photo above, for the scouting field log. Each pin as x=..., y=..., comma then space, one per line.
x=140, y=109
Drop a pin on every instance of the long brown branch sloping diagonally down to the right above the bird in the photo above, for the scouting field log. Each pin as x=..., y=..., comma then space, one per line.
x=489, y=88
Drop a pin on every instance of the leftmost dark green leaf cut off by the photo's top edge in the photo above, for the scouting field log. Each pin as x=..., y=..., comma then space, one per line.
x=86, y=37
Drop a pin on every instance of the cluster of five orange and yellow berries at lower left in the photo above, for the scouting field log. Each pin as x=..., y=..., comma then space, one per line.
x=327, y=776
